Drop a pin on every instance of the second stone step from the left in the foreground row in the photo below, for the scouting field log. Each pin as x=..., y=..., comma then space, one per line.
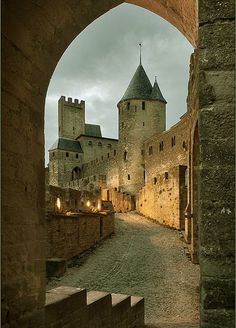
x=99, y=307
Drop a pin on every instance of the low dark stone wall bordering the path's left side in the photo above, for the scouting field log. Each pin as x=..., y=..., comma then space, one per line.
x=70, y=235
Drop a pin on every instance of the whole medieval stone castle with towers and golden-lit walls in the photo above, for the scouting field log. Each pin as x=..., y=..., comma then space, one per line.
x=145, y=161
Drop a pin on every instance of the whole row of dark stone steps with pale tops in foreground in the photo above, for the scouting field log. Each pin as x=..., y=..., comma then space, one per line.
x=70, y=307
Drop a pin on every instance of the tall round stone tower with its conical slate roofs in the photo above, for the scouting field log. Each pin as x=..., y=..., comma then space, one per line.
x=142, y=113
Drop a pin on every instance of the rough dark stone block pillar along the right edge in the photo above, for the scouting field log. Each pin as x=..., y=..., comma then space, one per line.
x=216, y=178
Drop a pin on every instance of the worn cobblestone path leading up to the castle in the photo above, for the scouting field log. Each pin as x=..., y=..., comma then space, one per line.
x=143, y=258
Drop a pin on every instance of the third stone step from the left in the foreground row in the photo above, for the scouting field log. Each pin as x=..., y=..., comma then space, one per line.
x=121, y=306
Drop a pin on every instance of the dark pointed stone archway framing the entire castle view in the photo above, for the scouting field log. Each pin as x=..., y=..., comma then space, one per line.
x=35, y=36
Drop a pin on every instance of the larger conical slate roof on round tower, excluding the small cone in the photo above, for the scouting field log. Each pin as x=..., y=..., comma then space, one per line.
x=140, y=87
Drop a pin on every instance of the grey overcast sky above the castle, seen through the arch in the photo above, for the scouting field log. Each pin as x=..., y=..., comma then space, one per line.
x=99, y=64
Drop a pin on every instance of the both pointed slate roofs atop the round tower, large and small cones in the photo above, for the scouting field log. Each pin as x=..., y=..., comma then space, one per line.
x=140, y=87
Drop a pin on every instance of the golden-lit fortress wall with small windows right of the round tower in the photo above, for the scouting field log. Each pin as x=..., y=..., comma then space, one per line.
x=164, y=196
